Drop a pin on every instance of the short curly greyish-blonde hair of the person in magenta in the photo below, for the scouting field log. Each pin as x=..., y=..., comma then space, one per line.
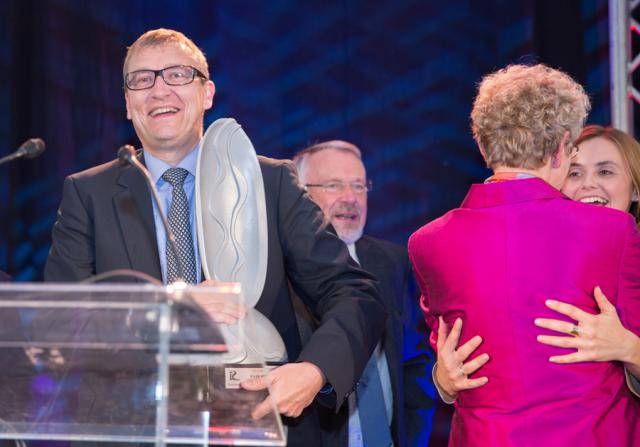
x=522, y=112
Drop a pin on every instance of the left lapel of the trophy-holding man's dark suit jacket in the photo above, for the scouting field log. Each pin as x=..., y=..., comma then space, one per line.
x=134, y=212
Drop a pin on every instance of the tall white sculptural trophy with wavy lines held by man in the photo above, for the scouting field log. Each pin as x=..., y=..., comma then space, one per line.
x=231, y=220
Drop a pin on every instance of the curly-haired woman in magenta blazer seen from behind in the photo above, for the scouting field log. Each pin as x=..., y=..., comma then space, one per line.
x=515, y=242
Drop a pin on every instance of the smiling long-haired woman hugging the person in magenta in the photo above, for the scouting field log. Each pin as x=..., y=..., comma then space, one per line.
x=605, y=172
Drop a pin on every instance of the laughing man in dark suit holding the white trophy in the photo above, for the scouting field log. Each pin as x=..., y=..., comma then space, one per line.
x=107, y=221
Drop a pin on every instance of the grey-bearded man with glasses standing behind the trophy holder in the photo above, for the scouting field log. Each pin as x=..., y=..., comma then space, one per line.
x=394, y=399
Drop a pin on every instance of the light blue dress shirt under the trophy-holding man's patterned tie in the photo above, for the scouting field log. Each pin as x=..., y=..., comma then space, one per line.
x=156, y=168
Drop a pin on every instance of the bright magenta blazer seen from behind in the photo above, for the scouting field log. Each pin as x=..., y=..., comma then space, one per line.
x=493, y=262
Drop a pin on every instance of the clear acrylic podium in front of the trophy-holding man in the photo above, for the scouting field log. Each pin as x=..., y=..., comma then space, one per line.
x=127, y=363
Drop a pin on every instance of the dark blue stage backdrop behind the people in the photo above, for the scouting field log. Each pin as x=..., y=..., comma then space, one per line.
x=397, y=78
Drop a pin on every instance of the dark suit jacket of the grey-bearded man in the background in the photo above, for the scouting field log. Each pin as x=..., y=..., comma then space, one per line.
x=405, y=345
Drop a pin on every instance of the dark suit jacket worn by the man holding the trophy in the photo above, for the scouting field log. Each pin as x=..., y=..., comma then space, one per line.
x=105, y=222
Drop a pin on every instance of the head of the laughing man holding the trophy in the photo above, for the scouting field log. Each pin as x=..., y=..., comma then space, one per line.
x=167, y=114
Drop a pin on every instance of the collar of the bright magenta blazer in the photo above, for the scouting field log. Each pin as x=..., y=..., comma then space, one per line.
x=511, y=191
